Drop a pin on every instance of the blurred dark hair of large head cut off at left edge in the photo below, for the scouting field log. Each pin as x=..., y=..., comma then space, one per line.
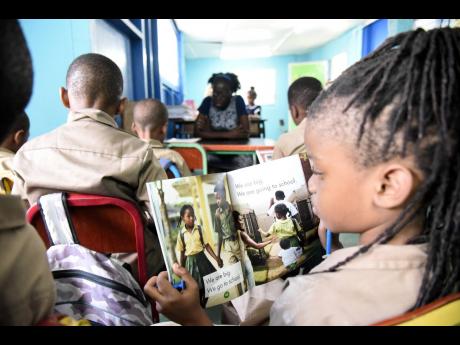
x=16, y=73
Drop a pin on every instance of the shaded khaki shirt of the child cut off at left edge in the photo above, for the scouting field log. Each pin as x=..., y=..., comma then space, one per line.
x=26, y=284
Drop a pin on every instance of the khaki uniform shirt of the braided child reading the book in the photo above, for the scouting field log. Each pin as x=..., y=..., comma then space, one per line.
x=380, y=284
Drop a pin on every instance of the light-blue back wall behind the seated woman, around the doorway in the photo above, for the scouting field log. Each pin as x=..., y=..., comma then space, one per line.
x=198, y=71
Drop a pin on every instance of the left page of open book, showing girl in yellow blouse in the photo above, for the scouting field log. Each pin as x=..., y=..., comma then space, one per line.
x=183, y=208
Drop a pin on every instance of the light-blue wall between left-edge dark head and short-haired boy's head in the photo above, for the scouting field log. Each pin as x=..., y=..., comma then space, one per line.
x=53, y=45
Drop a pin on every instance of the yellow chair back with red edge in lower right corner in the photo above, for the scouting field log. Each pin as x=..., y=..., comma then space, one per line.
x=443, y=312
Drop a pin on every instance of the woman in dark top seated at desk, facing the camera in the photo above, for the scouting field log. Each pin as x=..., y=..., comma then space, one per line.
x=223, y=116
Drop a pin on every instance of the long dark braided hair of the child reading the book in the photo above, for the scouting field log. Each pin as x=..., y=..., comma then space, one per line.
x=403, y=100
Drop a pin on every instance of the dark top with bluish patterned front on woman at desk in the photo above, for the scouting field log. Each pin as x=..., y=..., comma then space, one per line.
x=226, y=119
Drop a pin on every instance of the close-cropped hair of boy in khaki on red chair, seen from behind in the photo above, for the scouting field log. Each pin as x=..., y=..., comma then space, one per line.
x=94, y=76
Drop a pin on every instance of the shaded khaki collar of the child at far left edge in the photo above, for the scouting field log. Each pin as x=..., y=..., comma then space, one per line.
x=13, y=213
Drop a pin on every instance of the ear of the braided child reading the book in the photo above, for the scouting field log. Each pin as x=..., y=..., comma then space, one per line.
x=394, y=186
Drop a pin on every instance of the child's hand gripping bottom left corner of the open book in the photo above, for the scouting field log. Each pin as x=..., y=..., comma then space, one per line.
x=181, y=307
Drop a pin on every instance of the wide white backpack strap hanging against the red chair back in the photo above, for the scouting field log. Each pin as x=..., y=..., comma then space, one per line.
x=55, y=215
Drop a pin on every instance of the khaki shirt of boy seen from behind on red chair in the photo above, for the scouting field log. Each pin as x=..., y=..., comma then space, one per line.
x=90, y=155
